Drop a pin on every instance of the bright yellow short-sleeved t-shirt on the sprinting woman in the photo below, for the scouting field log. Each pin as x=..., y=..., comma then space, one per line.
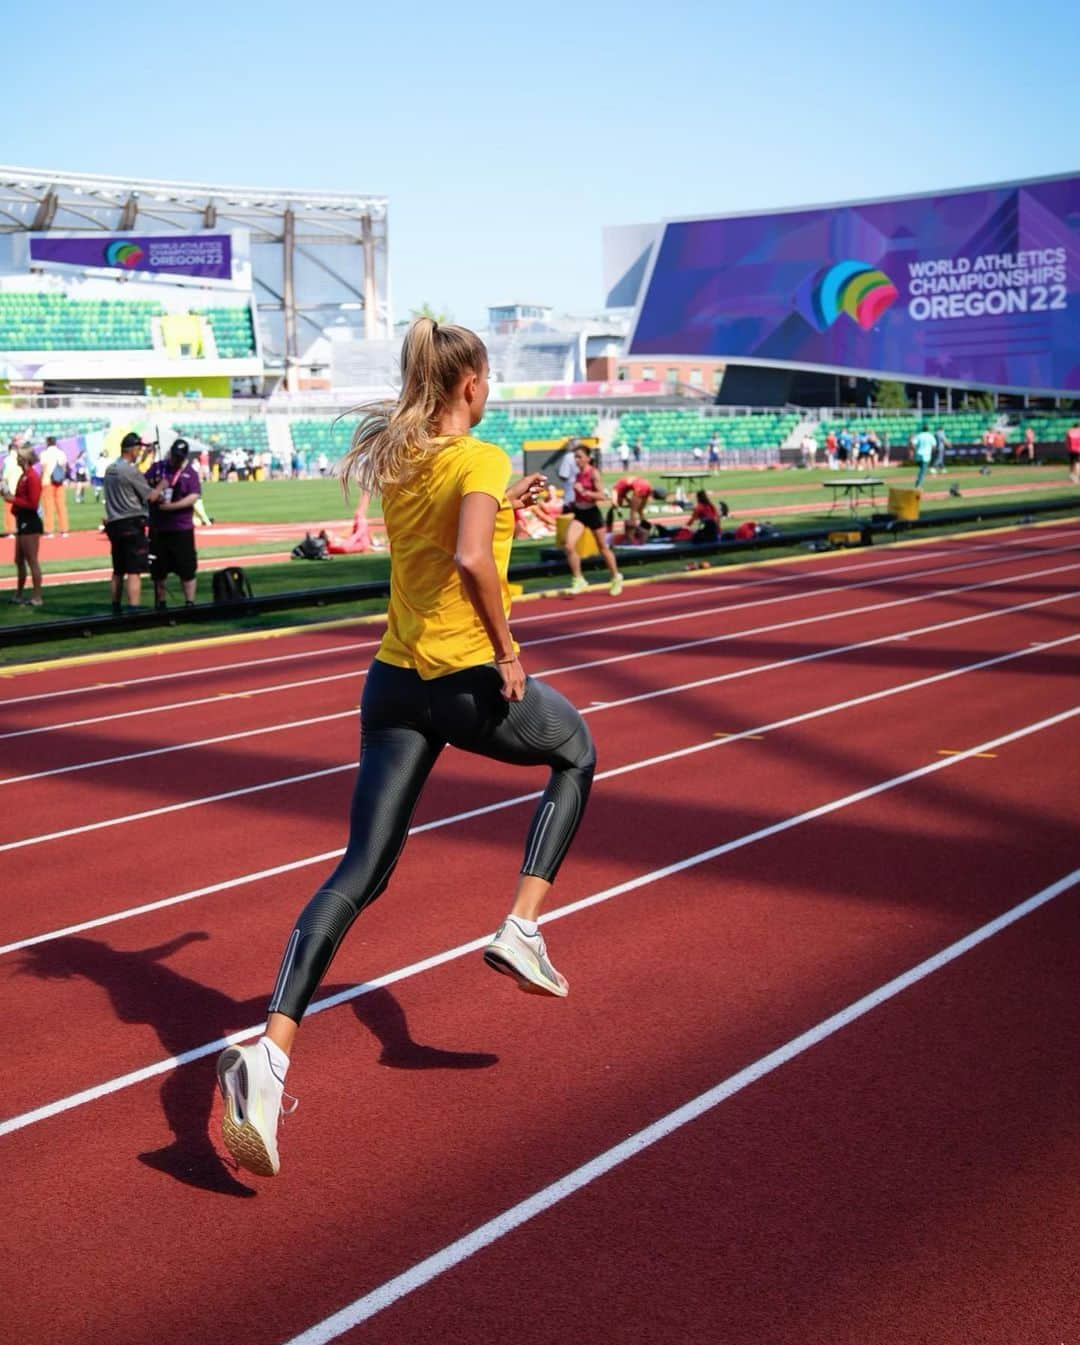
x=432, y=626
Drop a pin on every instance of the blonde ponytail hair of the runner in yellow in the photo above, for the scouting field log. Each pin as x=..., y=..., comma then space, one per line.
x=396, y=439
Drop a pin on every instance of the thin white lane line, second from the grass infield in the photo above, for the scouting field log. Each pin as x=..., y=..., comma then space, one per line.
x=591, y=633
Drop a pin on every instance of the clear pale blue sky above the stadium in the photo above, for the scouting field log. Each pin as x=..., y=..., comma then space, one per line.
x=506, y=143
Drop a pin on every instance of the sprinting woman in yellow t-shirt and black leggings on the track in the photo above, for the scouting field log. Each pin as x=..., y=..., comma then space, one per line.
x=447, y=672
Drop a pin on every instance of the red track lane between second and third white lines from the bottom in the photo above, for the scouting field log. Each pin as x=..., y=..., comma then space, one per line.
x=804, y=765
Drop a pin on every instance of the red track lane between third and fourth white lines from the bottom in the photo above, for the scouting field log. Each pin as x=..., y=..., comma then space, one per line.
x=309, y=817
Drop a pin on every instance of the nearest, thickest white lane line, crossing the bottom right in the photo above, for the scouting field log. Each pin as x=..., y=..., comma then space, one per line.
x=485, y=1235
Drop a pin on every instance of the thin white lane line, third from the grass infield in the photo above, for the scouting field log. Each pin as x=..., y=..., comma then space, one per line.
x=559, y=672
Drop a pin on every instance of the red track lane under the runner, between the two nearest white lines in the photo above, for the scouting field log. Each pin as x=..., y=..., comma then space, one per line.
x=747, y=973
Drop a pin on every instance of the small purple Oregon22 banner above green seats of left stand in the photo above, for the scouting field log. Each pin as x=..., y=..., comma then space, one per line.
x=209, y=256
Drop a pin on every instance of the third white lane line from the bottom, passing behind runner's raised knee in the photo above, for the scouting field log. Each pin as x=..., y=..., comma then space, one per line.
x=613, y=773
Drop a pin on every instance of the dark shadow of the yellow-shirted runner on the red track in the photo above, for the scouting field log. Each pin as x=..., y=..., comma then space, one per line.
x=182, y=1012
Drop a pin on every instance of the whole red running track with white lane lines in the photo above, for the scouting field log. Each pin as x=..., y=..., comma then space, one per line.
x=906, y=1179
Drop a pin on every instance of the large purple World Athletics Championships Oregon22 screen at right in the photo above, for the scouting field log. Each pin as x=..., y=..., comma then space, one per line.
x=974, y=289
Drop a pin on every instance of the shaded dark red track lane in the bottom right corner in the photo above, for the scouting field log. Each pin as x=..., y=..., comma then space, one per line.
x=906, y=1180
